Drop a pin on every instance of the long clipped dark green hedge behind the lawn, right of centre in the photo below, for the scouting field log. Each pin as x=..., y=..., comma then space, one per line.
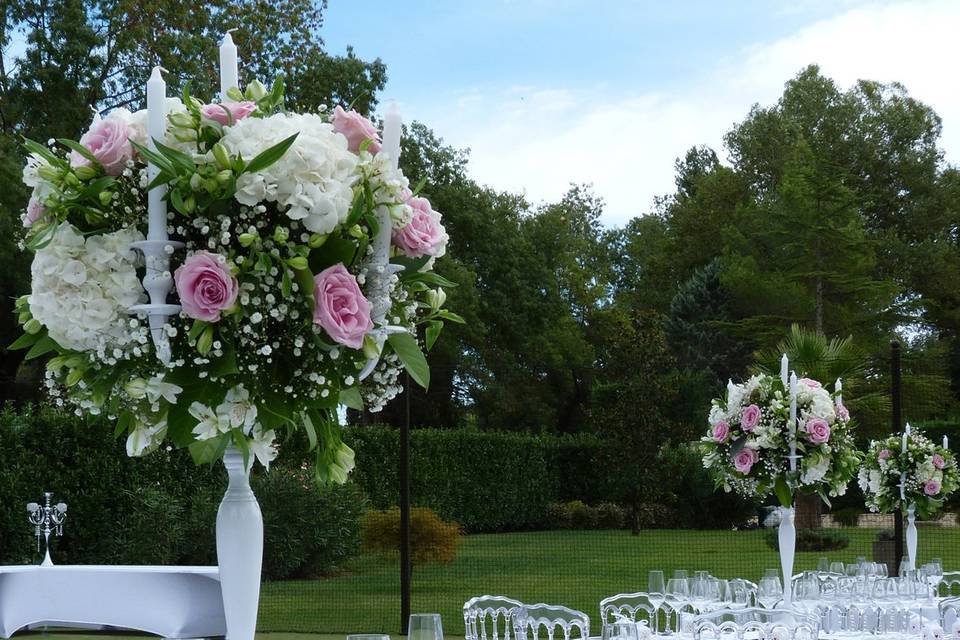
x=496, y=481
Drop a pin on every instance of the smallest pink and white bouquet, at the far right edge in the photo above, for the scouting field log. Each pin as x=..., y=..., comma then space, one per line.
x=929, y=474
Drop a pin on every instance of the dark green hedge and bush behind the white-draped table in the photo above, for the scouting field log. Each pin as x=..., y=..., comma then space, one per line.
x=160, y=509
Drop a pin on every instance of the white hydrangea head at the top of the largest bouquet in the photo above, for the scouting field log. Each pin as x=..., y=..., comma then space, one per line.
x=313, y=180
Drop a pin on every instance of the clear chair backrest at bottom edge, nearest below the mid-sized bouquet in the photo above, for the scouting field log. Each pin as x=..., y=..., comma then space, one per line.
x=762, y=624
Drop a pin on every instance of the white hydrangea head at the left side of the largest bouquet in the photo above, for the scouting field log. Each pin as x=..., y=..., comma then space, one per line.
x=81, y=289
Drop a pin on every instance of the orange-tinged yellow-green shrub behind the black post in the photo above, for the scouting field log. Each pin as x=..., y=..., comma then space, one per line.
x=431, y=539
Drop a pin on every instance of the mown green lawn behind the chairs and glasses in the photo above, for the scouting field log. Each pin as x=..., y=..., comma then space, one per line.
x=575, y=568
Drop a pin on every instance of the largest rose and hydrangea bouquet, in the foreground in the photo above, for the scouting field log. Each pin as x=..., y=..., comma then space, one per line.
x=278, y=212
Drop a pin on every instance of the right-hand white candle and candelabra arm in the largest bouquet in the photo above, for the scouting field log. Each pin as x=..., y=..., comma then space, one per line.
x=381, y=271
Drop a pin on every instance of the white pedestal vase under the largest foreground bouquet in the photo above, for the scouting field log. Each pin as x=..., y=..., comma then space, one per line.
x=239, y=549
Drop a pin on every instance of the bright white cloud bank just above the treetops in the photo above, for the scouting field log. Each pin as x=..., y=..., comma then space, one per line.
x=539, y=139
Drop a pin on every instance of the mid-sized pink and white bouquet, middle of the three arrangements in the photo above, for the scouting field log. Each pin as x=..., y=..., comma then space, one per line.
x=747, y=447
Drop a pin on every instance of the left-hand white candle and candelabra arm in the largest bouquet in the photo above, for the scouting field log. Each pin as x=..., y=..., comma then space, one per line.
x=157, y=248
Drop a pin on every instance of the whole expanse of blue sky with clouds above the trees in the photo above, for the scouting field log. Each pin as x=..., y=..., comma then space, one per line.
x=546, y=93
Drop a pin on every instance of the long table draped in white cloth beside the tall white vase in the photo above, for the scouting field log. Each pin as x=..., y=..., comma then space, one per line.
x=173, y=602
